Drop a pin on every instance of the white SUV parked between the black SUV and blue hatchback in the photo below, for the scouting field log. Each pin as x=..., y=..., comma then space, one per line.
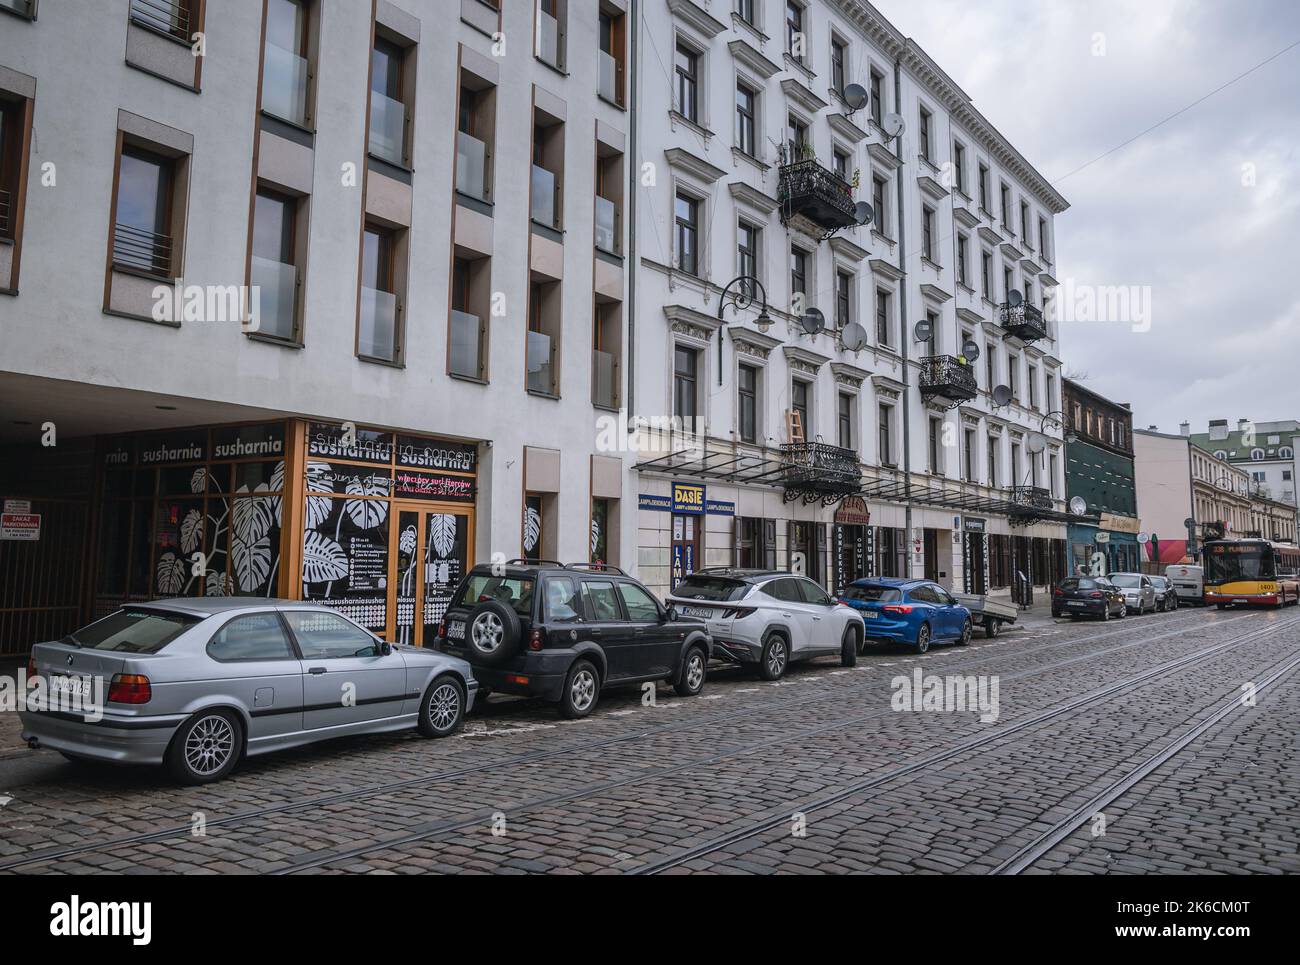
x=769, y=618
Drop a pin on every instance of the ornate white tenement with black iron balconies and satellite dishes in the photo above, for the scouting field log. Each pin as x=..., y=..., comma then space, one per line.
x=861, y=447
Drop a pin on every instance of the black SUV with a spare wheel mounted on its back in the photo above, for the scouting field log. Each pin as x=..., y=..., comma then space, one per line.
x=567, y=633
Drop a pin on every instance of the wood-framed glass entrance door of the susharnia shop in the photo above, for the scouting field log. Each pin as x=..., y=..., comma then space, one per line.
x=434, y=553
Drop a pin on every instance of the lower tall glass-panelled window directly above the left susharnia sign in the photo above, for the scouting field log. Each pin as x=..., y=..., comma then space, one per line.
x=274, y=270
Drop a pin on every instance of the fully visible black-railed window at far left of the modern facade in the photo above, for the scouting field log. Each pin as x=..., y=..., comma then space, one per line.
x=142, y=233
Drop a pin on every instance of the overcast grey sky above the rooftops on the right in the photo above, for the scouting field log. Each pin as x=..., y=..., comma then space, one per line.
x=1171, y=211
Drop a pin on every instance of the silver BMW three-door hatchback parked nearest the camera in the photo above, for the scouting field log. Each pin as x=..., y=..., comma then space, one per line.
x=201, y=683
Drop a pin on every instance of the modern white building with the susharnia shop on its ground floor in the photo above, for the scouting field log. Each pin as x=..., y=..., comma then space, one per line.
x=423, y=194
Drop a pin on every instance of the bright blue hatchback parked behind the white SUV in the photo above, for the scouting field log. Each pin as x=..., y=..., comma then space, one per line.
x=916, y=613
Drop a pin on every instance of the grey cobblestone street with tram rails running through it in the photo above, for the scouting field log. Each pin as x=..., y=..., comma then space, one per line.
x=1124, y=747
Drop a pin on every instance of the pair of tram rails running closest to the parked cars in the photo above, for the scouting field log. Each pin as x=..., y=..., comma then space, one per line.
x=760, y=707
